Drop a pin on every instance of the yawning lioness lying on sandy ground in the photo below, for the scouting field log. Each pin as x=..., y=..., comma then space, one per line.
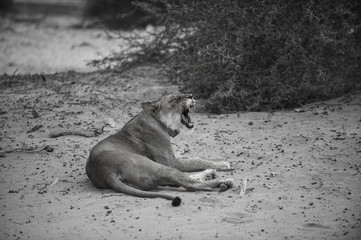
x=139, y=157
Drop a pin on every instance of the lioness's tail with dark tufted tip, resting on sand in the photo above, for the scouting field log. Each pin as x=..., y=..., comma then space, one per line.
x=119, y=186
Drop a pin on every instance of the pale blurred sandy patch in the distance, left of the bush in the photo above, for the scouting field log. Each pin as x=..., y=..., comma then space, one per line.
x=41, y=44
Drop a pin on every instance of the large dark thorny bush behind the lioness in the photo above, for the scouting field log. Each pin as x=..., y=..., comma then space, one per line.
x=253, y=55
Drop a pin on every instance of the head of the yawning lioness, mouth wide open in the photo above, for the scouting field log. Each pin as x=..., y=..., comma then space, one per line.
x=172, y=110
